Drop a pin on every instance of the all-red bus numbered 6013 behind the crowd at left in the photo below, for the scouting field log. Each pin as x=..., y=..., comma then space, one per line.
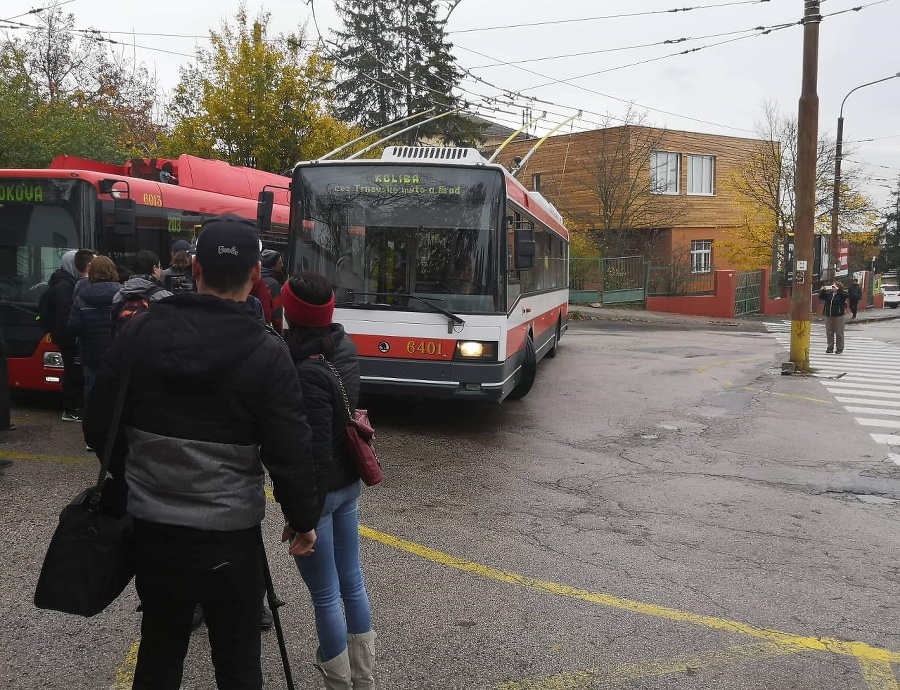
x=117, y=211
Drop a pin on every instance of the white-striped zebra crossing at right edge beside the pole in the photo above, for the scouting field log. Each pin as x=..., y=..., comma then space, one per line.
x=864, y=378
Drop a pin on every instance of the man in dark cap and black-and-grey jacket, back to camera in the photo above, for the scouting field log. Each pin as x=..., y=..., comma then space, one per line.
x=213, y=397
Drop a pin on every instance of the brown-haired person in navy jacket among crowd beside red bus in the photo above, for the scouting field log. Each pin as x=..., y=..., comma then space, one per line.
x=89, y=318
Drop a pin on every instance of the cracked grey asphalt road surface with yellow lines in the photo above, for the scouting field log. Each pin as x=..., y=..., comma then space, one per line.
x=664, y=510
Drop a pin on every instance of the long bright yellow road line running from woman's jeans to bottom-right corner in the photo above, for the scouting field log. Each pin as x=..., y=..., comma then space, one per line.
x=873, y=659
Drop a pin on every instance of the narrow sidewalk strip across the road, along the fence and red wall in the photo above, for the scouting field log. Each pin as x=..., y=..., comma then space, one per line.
x=583, y=312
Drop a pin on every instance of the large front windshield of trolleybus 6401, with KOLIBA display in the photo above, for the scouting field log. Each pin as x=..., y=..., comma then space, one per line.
x=383, y=232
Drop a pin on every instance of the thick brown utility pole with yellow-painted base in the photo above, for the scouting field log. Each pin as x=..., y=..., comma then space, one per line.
x=805, y=189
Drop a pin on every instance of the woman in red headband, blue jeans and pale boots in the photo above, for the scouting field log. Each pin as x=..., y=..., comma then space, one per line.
x=327, y=363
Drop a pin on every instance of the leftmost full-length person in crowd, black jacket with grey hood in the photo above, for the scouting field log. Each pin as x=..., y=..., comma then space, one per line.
x=54, y=309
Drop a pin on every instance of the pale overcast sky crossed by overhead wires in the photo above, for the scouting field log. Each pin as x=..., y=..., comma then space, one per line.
x=719, y=89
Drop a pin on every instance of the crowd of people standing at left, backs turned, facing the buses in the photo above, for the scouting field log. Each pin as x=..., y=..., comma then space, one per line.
x=216, y=351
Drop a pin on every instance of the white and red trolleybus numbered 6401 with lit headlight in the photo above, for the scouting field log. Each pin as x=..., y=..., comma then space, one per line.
x=450, y=276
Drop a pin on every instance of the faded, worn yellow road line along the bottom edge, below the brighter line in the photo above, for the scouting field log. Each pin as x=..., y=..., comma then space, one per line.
x=654, y=668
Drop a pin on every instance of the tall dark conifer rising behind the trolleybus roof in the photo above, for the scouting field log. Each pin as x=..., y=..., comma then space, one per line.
x=396, y=60
